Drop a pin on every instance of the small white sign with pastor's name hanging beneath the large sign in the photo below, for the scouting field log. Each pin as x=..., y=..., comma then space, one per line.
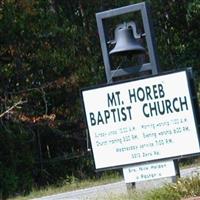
x=149, y=171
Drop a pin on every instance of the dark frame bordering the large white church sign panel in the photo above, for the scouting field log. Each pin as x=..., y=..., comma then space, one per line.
x=194, y=111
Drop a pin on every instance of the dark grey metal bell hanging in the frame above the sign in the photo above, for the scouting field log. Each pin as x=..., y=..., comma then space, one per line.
x=126, y=42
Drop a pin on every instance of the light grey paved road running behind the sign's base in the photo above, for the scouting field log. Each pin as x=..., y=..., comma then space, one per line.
x=114, y=188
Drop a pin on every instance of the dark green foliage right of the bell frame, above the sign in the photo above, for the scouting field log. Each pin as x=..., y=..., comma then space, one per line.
x=176, y=28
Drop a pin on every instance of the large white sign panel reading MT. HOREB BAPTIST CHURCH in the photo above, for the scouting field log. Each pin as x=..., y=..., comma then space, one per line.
x=141, y=120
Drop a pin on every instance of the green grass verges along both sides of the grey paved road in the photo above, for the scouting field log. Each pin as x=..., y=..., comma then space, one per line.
x=184, y=187
